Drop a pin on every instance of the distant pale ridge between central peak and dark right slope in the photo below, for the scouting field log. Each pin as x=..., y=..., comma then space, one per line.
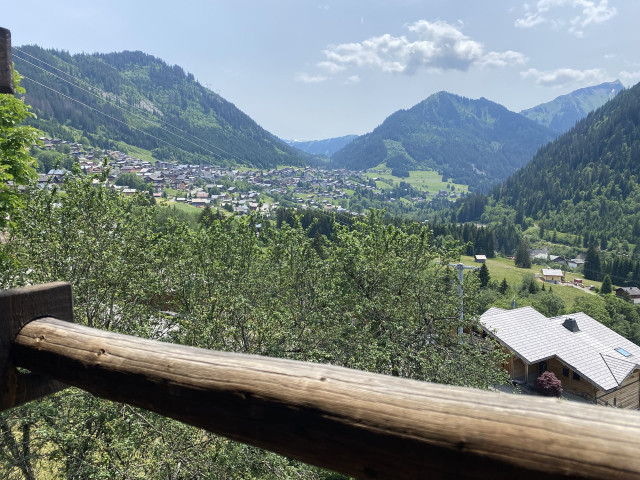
x=563, y=112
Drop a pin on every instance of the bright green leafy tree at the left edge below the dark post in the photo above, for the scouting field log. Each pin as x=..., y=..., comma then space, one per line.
x=16, y=163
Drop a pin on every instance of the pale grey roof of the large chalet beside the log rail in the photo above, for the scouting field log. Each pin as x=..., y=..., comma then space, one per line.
x=591, y=351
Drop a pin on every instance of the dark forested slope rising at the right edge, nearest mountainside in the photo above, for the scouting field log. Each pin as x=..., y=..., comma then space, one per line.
x=588, y=180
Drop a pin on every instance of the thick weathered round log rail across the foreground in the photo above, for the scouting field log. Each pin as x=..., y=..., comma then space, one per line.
x=361, y=424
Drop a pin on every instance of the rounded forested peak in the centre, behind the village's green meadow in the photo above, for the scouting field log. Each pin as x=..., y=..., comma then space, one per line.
x=474, y=142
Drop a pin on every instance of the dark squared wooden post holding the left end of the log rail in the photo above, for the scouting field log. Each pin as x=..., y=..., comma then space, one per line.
x=17, y=308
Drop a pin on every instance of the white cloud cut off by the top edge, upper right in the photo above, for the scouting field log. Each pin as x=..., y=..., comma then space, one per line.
x=546, y=11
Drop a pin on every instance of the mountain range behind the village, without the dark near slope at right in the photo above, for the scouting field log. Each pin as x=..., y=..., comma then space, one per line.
x=133, y=99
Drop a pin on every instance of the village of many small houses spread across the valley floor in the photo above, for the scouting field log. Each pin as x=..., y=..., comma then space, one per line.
x=235, y=190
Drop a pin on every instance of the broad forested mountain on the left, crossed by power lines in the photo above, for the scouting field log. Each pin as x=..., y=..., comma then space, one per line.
x=148, y=104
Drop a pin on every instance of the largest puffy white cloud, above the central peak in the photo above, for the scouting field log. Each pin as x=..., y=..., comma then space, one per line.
x=433, y=45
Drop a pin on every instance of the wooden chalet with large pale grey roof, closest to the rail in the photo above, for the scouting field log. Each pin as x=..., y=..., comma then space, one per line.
x=590, y=360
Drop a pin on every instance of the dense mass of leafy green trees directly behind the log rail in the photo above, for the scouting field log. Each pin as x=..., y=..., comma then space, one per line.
x=373, y=296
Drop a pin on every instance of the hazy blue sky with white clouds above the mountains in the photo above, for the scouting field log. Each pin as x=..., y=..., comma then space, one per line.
x=310, y=70
